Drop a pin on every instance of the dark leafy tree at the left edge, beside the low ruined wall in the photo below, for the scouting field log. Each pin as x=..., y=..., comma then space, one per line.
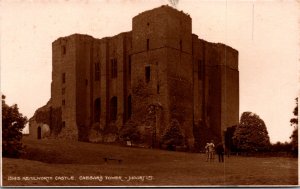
x=12, y=124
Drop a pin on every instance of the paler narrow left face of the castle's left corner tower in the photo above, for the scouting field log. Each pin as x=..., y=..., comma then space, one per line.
x=63, y=86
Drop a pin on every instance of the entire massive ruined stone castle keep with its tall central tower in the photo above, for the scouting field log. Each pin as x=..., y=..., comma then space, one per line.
x=142, y=82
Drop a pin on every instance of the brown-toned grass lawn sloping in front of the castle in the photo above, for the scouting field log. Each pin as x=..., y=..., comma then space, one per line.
x=67, y=163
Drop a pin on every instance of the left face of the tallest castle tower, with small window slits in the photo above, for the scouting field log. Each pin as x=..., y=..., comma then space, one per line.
x=148, y=52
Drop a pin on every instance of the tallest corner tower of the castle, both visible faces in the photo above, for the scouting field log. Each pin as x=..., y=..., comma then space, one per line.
x=162, y=43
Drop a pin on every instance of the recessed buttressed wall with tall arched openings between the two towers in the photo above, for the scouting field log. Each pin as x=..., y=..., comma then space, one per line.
x=98, y=55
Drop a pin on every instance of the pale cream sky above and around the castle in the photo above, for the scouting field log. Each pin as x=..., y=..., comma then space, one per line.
x=266, y=34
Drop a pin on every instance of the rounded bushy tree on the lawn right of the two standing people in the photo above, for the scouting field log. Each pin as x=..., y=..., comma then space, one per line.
x=251, y=134
